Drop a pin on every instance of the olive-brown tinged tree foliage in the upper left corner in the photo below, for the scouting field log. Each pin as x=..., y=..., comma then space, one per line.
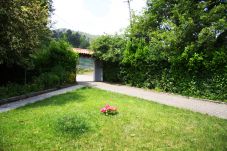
x=23, y=28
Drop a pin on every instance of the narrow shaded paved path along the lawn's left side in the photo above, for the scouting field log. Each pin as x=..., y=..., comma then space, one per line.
x=23, y=102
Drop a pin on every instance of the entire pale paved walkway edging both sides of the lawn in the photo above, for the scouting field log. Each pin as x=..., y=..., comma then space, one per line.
x=196, y=105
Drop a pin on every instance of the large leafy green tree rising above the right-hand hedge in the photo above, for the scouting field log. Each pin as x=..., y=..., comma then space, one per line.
x=187, y=34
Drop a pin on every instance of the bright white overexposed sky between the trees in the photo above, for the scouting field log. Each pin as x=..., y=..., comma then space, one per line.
x=94, y=16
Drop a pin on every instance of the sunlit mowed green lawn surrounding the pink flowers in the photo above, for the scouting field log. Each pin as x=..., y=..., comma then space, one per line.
x=73, y=121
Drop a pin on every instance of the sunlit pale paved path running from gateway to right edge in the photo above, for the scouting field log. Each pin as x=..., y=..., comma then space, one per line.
x=197, y=105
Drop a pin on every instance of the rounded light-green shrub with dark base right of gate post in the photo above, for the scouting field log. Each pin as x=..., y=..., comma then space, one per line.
x=110, y=50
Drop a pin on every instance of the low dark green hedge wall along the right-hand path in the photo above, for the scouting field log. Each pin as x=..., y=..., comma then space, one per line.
x=160, y=76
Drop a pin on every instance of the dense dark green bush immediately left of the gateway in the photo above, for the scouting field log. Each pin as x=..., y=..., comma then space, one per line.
x=56, y=65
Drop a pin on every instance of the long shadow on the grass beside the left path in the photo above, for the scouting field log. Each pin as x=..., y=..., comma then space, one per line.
x=59, y=100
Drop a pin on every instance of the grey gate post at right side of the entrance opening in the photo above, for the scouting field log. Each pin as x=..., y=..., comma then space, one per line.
x=98, y=73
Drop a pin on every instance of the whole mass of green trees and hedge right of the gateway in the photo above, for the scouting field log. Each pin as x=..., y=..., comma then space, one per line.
x=175, y=46
